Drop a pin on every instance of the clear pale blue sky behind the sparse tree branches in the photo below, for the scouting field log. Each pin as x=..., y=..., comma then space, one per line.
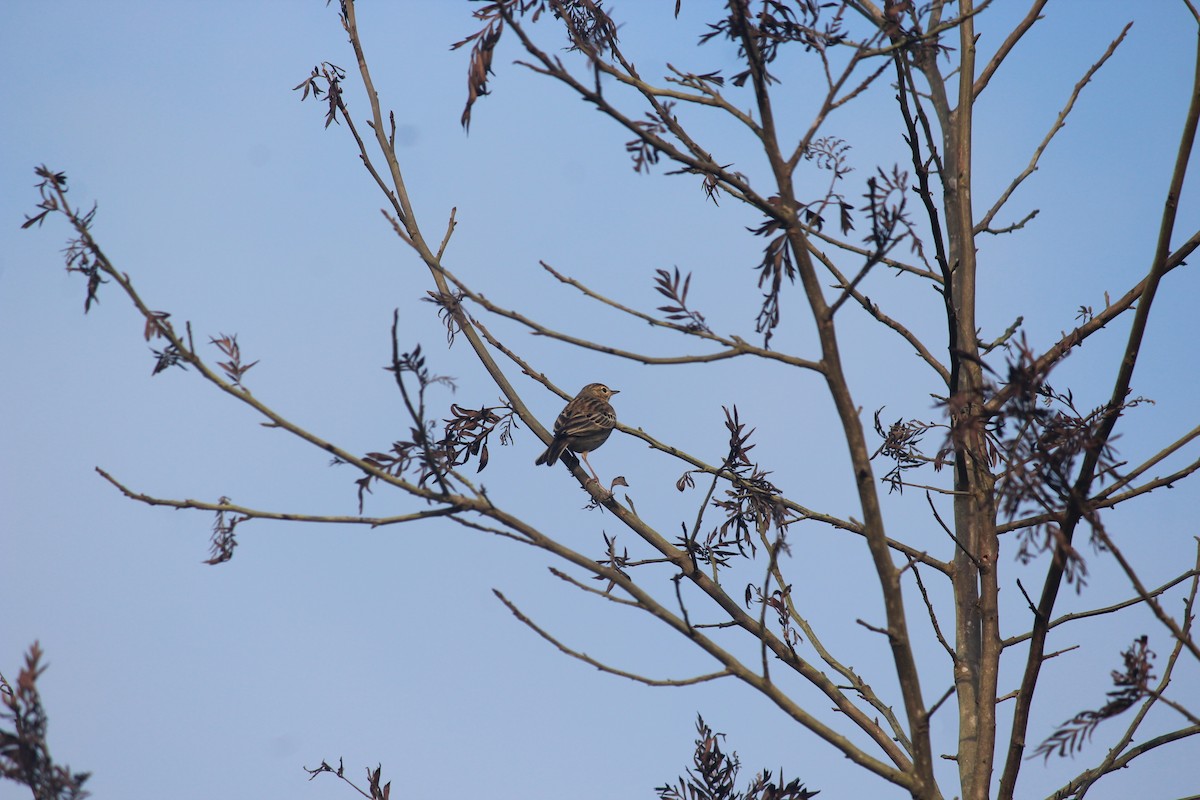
x=230, y=206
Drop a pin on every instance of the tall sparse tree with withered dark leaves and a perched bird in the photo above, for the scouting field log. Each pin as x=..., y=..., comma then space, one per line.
x=1007, y=465
